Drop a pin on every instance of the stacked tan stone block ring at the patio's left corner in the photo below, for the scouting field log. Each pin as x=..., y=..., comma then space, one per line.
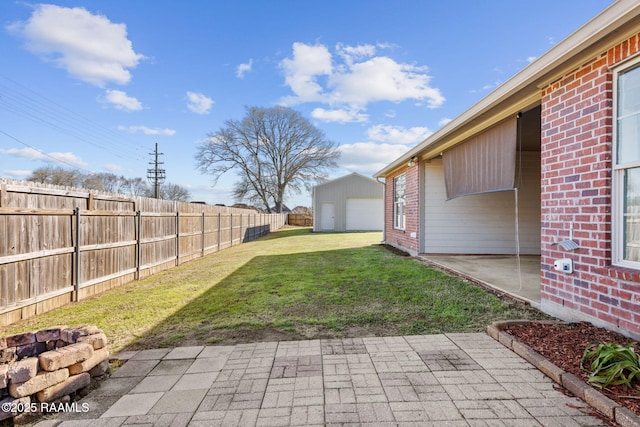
x=47, y=366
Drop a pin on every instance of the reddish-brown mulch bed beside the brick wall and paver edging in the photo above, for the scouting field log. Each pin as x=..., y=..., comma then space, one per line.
x=564, y=344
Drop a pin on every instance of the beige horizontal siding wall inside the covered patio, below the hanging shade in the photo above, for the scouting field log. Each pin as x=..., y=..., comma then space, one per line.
x=483, y=223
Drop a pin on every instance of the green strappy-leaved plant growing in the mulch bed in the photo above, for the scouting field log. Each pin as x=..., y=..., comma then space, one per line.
x=611, y=364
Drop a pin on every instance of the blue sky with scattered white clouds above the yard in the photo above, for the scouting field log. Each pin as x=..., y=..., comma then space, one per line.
x=95, y=84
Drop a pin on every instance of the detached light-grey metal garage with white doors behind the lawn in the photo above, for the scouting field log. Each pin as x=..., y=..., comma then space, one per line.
x=351, y=203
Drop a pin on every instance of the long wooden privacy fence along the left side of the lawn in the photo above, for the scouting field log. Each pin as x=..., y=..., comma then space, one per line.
x=59, y=245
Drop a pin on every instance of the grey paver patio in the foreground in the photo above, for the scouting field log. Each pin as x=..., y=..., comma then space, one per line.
x=426, y=380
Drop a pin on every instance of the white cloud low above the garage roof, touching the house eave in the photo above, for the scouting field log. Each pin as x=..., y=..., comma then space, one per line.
x=368, y=157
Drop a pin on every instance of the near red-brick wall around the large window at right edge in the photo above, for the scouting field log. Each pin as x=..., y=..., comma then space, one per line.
x=577, y=132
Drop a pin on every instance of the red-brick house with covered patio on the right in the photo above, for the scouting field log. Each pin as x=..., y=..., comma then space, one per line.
x=550, y=157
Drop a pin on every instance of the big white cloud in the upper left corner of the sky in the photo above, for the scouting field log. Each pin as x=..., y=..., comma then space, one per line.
x=90, y=47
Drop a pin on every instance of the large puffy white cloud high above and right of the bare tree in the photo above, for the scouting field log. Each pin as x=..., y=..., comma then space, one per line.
x=359, y=79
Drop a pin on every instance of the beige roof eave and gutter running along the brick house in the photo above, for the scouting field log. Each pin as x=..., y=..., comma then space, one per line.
x=522, y=91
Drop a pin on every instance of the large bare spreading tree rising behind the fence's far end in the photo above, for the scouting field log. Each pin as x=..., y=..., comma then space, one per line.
x=273, y=150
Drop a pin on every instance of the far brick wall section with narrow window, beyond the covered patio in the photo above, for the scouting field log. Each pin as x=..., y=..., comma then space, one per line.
x=402, y=238
